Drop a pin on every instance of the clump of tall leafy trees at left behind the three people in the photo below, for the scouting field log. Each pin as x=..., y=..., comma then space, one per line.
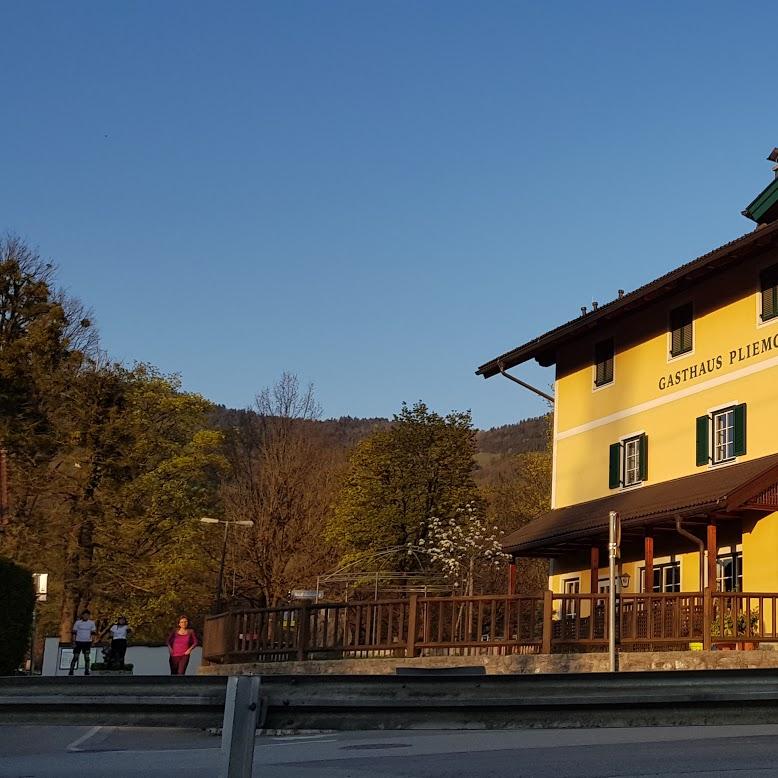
x=109, y=466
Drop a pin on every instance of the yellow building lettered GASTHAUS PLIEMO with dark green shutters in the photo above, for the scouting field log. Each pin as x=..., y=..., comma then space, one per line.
x=666, y=410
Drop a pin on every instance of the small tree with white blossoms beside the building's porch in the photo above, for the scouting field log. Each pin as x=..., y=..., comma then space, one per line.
x=462, y=545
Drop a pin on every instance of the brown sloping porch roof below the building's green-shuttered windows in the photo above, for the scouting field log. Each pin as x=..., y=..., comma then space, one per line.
x=722, y=491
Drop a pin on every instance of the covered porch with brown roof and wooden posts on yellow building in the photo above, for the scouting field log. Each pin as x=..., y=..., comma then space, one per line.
x=697, y=561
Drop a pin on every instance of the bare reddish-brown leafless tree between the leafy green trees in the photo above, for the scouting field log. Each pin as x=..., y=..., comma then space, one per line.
x=282, y=477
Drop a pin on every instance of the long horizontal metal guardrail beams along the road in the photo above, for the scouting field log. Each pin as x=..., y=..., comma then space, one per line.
x=403, y=701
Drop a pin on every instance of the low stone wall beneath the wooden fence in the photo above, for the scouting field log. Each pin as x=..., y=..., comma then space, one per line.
x=512, y=664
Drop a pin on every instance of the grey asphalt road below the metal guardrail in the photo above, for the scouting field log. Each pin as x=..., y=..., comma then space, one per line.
x=82, y=752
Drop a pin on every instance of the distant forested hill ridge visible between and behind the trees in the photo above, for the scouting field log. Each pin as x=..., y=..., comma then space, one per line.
x=526, y=435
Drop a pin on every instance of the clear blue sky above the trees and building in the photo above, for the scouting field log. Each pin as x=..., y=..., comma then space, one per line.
x=378, y=196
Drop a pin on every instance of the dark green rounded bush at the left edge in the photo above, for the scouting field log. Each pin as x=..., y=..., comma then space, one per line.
x=17, y=601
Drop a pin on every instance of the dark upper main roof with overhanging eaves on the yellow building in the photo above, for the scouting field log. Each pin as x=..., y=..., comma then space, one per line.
x=543, y=348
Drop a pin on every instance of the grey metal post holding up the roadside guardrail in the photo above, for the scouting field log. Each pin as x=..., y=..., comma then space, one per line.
x=239, y=729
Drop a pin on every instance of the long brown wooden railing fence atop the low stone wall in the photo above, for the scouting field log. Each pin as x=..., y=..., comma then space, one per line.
x=492, y=624
